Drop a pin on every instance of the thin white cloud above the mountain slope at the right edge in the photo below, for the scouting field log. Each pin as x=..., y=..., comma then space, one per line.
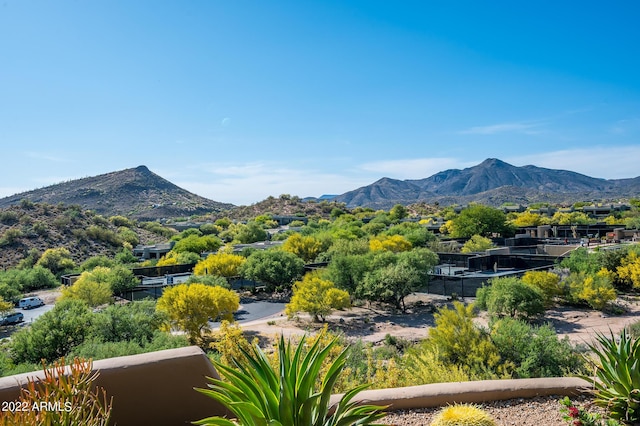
x=608, y=162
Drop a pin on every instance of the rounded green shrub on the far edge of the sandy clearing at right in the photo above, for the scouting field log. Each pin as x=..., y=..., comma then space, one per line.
x=511, y=297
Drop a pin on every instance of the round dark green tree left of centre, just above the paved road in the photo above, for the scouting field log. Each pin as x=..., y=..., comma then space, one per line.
x=275, y=268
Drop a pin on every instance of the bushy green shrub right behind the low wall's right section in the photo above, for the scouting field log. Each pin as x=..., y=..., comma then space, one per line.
x=534, y=351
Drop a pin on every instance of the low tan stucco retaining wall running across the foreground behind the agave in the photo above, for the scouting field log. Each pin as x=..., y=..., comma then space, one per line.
x=157, y=388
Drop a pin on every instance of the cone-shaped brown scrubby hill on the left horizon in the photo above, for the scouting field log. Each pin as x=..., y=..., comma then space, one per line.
x=136, y=193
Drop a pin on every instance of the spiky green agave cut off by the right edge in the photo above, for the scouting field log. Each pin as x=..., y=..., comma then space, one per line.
x=617, y=376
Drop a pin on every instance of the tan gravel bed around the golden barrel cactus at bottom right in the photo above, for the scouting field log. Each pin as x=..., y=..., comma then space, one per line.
x=539, y=411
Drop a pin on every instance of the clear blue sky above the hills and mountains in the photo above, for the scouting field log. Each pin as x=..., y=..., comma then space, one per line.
x=238, y=100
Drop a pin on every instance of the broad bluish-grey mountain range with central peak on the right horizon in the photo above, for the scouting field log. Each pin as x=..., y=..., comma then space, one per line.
x=492, y=182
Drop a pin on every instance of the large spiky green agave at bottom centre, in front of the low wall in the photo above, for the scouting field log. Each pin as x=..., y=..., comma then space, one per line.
x=296, y=395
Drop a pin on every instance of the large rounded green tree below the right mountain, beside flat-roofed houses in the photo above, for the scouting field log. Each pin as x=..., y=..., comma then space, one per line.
x=479, y=220
